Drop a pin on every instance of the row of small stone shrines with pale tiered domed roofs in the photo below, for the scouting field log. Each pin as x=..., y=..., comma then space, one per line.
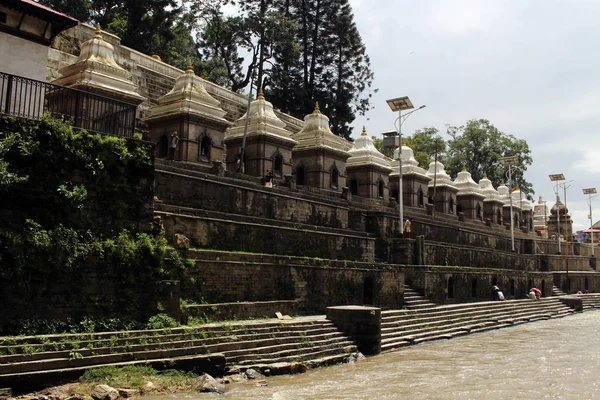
x=313, y=156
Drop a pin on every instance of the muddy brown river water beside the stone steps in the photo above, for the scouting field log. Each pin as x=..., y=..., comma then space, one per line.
x=555, y=359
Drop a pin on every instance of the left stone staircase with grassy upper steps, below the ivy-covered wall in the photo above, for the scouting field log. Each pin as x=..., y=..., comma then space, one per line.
x=29, y=361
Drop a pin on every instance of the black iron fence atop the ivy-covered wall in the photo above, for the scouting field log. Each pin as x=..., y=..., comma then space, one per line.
x=28, y=98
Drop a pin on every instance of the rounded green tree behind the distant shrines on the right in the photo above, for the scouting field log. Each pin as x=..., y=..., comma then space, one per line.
x=478, y=146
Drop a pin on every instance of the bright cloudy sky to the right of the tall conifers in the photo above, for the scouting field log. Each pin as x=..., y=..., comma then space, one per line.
x=529, y=67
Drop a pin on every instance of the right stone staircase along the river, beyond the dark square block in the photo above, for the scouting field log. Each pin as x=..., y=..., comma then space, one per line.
x=401, y=328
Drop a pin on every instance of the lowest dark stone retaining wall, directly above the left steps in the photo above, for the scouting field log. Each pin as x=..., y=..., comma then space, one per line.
x=221, y=277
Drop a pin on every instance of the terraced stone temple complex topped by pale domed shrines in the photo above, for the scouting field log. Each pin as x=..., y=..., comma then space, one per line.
x=328, y=232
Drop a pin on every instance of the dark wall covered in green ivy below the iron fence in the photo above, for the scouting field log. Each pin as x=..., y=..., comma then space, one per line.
x=78, y=241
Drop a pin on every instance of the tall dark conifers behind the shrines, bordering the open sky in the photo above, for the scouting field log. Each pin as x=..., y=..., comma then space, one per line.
x=331, y=67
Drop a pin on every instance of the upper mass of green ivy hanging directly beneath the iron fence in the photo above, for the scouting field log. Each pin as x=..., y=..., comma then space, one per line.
x=46, y=165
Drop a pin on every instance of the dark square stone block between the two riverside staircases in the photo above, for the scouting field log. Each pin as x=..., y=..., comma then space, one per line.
x=362, y=324
